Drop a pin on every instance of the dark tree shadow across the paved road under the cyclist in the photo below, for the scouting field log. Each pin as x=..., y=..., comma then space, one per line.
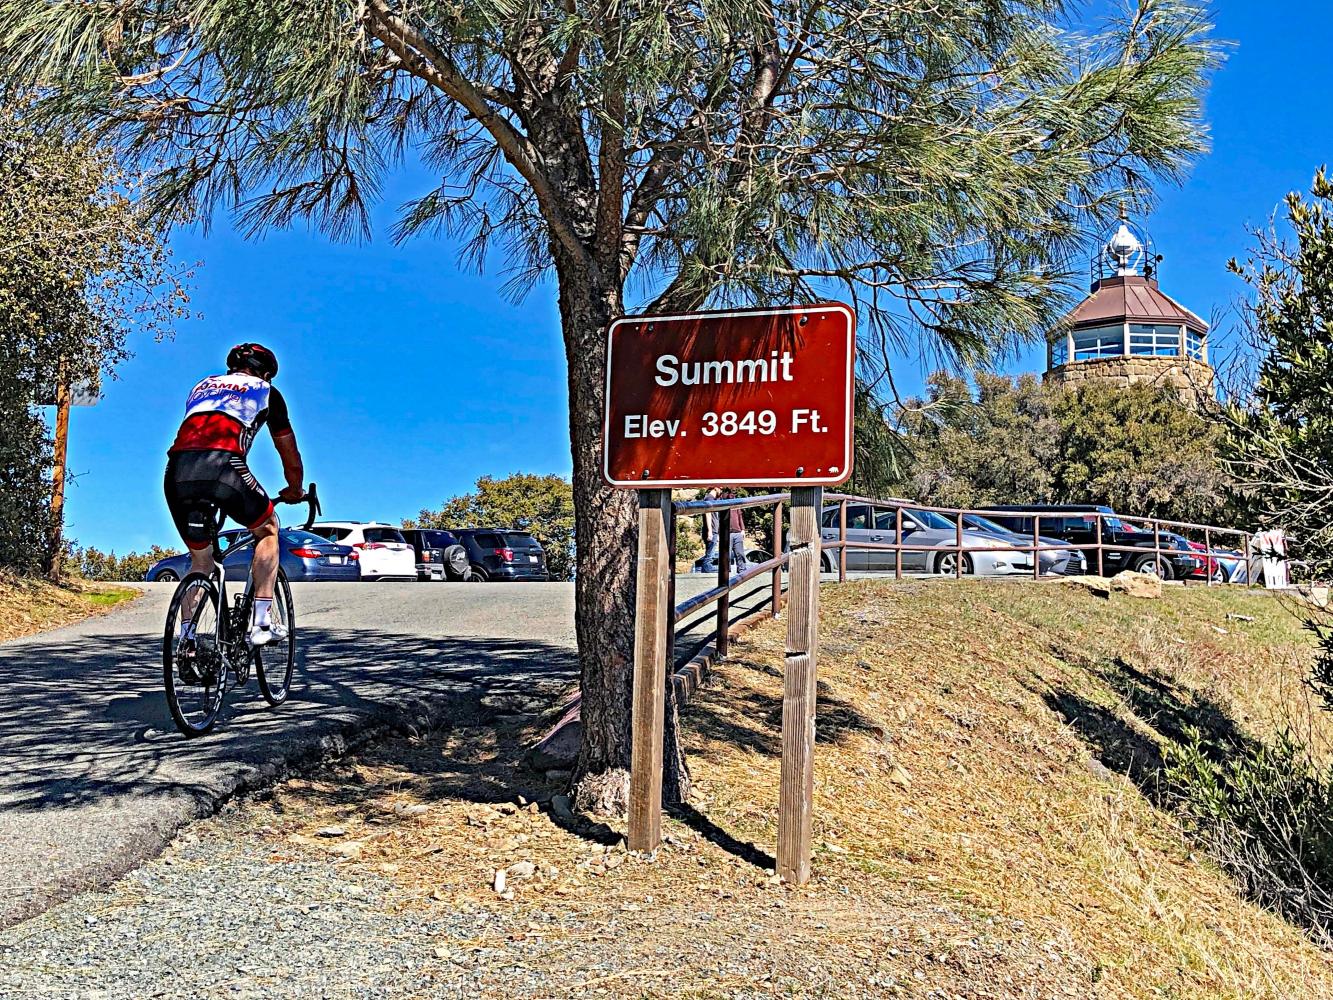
x=87, y=722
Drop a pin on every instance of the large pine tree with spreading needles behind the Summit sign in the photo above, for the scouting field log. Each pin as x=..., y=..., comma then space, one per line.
x=932, y=161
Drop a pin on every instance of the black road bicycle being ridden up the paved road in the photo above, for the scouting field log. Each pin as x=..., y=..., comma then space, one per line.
x=199, y=670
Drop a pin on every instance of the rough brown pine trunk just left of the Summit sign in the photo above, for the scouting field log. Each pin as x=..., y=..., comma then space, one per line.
x=607, y=537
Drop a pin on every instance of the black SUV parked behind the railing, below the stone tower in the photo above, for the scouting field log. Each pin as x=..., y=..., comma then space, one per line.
x=1078, y=525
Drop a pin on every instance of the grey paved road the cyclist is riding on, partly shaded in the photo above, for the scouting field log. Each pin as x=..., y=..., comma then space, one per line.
x=94, y=778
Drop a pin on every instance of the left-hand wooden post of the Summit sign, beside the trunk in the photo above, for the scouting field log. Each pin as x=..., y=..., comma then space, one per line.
x=653, y=642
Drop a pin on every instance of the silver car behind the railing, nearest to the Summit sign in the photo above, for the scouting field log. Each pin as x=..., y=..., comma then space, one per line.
x=879, y=525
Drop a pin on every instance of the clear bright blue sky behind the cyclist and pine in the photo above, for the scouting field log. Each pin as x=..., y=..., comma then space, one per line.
x=409, y=379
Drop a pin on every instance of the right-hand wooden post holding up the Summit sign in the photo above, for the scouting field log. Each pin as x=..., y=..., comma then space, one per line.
x=796, y=795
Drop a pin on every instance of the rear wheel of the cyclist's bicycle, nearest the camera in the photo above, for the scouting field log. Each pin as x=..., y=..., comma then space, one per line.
x=194, y=670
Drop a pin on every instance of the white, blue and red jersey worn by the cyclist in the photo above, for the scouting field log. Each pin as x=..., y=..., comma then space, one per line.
x=225, y=413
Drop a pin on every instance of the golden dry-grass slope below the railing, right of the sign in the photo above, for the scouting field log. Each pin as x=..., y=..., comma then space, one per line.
x=1003, y=746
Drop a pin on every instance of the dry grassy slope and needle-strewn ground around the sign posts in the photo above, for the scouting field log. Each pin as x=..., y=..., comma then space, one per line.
x=986, y=817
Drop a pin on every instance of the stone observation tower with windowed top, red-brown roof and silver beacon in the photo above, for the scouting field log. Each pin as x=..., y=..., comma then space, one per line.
x=1128, y=330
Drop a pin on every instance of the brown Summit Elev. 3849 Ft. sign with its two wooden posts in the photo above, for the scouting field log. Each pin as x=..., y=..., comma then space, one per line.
x=762, y=397
